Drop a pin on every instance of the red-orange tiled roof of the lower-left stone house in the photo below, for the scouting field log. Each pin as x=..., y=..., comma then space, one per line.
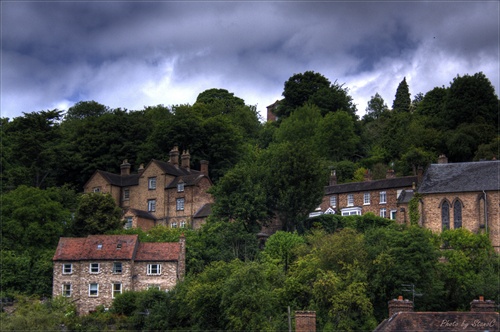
x=114, y=247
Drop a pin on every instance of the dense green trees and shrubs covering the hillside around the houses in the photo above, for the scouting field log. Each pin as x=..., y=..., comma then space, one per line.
x=345, y=268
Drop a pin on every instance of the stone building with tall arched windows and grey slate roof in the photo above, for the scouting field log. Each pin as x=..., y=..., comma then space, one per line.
x=455, y=195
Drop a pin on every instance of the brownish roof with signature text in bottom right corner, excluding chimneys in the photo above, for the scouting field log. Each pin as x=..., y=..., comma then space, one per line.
x=441, y=321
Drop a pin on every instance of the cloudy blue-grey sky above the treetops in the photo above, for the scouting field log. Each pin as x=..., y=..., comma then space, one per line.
x=135, y=54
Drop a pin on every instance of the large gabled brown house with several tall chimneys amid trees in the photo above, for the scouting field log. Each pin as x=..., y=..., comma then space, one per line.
x=163, y=193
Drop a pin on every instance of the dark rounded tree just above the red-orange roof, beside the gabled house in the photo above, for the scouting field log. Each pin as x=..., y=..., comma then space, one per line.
x=97, y=213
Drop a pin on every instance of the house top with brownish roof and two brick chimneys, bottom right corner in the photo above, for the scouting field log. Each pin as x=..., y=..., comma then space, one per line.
x=481, y=317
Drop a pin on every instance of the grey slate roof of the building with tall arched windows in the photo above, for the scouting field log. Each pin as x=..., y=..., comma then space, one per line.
x=461, y=177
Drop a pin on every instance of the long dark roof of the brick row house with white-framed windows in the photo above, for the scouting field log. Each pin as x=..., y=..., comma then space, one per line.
x=393, y=183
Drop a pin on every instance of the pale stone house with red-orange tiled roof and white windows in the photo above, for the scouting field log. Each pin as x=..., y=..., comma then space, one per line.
x=93, y=270
